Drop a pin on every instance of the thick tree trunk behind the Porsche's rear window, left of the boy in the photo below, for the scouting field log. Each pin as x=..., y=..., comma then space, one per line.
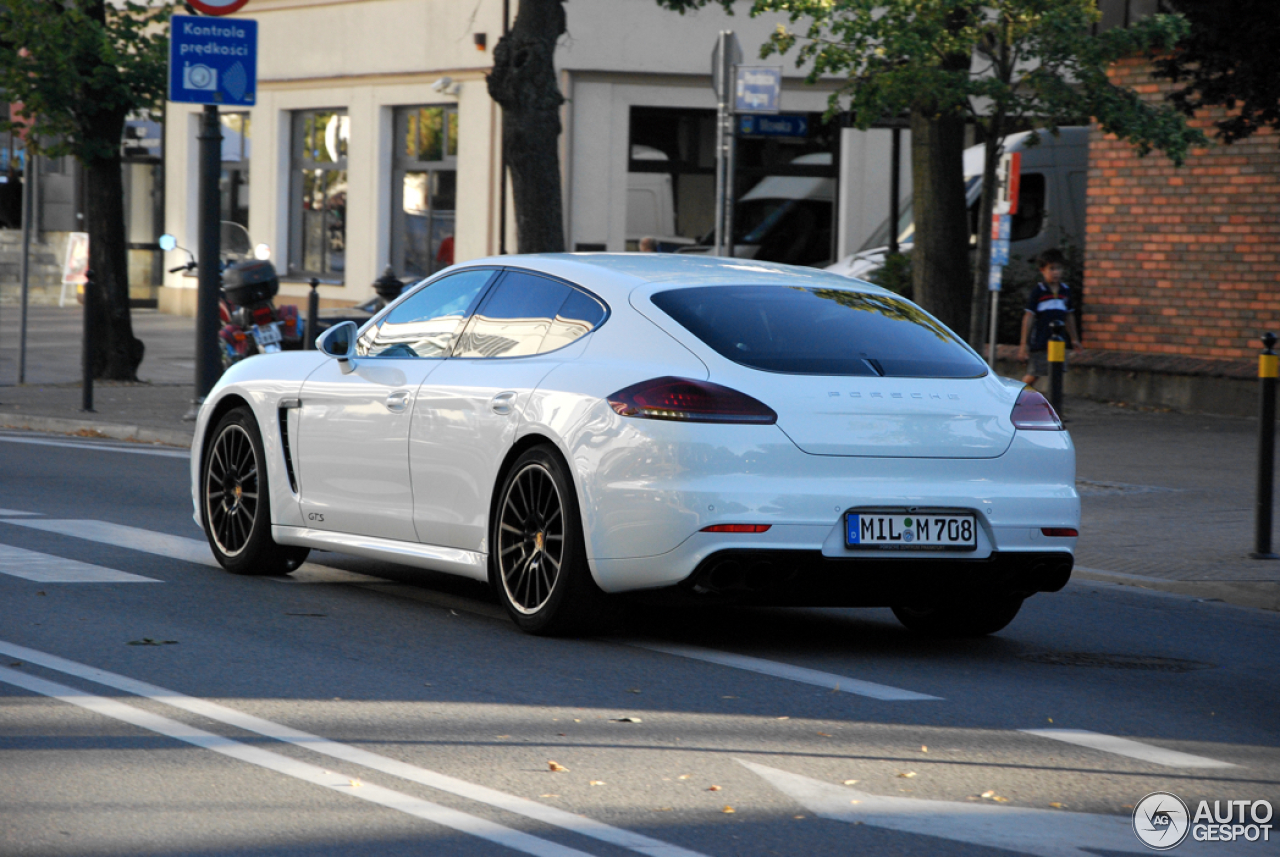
x=940, y=256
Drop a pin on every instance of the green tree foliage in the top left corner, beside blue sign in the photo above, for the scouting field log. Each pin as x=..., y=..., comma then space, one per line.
x=80, y=67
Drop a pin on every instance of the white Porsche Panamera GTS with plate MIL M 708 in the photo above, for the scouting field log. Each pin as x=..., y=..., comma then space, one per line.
x=573, y=427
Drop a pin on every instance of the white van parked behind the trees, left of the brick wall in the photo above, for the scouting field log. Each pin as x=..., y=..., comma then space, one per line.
x=1050, y=201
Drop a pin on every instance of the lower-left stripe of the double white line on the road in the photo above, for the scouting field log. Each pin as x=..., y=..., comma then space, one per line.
x=341, y=783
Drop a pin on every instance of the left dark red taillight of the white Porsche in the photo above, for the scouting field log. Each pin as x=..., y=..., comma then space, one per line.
x=689, y=401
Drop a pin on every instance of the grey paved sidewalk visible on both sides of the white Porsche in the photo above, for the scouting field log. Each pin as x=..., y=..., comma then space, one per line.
x=1168, y=498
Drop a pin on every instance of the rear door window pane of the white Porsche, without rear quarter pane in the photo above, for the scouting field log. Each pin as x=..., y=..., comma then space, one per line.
x=515, y=318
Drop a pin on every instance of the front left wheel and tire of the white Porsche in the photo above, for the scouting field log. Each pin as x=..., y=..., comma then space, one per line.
x=236, y=497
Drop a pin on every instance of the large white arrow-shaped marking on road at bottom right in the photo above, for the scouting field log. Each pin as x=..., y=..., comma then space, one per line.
x=1046, y=833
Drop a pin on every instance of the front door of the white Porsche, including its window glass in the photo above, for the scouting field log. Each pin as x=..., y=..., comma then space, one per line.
x=355, y=420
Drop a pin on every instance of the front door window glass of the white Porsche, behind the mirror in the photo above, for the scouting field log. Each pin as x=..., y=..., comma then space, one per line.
x=428, y=323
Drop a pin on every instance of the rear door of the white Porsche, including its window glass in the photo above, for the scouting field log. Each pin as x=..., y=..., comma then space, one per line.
x=468, y=413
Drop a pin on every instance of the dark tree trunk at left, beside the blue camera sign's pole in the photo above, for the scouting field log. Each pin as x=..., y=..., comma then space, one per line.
x=117, y=354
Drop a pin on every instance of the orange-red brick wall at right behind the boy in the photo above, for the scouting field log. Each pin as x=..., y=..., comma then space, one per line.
x=1182, y=260
